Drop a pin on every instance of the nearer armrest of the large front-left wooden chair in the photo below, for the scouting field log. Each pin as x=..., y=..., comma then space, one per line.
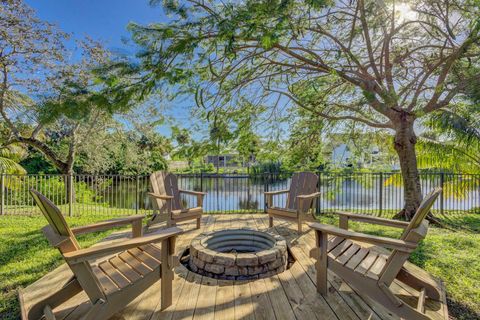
x=95, y=252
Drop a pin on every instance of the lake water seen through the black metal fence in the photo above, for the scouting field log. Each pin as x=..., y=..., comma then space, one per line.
x=241, y=193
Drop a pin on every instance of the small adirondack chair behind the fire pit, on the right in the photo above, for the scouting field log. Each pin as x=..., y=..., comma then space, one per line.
x=302, y=192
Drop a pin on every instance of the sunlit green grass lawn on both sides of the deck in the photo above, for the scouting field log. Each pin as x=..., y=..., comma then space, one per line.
x=452, y=255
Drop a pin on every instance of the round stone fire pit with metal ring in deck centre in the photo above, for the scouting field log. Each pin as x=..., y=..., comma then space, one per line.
x=238, y=254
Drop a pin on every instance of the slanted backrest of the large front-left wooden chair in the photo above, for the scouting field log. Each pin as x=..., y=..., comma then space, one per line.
x=56, y=221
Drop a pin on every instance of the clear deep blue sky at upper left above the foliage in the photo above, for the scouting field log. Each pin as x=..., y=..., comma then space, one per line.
x=106, y=21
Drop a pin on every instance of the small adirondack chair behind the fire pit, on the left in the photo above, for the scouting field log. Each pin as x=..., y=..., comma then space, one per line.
x=166, y=199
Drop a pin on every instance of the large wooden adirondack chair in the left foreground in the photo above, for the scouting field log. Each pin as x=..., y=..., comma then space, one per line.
x=112, y=275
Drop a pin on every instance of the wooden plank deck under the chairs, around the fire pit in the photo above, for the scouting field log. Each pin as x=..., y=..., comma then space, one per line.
x=290, y=295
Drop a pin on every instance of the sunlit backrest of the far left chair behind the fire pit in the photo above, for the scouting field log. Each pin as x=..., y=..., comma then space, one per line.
x=165, y=183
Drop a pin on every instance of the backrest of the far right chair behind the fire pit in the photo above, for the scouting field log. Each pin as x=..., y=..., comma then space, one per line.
x=303, y=183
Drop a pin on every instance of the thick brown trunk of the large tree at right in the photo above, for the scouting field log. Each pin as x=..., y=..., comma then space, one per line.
x=404, y=144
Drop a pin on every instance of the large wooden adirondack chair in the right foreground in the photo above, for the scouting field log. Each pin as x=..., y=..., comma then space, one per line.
x=372, y=269
